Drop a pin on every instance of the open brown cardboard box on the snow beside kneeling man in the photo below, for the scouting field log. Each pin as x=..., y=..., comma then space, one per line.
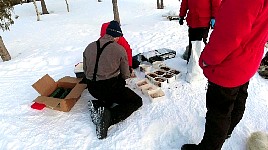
x=46, y=85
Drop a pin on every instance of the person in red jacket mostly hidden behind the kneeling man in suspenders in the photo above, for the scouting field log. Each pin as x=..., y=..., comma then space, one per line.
x=123, y=42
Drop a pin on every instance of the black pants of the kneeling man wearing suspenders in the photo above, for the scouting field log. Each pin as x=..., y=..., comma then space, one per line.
x=113, y=91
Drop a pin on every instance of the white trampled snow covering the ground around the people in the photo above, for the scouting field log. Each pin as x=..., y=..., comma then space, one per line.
x=55, y=44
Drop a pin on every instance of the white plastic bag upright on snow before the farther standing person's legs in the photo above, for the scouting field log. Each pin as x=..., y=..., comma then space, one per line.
x=194, y=71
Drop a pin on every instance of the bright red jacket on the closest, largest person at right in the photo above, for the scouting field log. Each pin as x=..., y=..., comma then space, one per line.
x=236, y=45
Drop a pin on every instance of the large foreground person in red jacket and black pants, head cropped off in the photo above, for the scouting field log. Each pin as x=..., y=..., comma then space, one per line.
x=229, y=60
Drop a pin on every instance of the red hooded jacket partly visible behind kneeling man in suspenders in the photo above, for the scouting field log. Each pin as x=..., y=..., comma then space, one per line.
x=122, y=41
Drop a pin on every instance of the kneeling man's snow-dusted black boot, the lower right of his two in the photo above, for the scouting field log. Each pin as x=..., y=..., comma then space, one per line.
x=103, y=122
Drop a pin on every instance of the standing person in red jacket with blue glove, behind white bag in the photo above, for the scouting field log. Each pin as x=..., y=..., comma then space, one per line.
x=200, y=16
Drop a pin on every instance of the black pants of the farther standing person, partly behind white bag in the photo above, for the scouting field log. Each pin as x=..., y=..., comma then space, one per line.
x=196, y=34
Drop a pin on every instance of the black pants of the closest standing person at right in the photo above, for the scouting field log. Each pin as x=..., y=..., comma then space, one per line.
x=225, y=109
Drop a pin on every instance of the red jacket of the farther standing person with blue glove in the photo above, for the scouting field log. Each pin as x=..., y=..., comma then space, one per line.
x=199, y=11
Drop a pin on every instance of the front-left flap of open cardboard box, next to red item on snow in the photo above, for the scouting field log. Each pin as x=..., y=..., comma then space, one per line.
x=50, y=102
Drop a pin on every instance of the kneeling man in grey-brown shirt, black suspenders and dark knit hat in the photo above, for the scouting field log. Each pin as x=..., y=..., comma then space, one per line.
x=105, y=65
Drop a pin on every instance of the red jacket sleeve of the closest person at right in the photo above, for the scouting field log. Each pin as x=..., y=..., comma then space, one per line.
x=234, y=23
